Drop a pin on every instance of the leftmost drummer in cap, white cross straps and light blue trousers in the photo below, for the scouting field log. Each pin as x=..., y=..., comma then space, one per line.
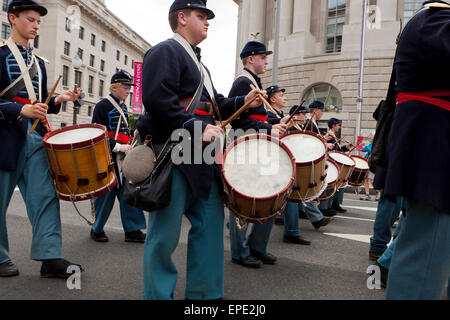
x=25, y=162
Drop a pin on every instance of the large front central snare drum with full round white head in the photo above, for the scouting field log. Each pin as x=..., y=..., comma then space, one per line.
x=258, y=174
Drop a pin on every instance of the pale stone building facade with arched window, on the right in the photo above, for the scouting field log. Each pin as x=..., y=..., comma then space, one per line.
x=319, y=51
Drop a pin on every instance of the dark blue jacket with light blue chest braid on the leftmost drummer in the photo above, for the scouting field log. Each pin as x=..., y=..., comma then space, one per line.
x=12, y=129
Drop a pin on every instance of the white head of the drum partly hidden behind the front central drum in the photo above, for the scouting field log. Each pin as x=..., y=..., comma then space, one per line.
x=305, y=147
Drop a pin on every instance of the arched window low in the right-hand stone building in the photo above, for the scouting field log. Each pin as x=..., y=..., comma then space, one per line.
x=326, y=93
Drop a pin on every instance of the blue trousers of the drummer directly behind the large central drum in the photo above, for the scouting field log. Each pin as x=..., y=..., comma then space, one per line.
x=257, y=240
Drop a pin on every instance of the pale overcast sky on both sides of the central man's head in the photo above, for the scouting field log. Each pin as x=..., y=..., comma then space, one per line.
x=149, y=19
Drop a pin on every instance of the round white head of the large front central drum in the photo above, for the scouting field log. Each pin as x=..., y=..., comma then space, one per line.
x=258, y=167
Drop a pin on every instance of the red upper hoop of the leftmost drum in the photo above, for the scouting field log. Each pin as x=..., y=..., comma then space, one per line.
x=78, y=145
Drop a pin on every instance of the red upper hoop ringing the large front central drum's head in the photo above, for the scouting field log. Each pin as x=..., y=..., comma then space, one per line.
x=253, y=137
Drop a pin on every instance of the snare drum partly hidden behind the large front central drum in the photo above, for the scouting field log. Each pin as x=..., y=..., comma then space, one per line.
x=309, y=150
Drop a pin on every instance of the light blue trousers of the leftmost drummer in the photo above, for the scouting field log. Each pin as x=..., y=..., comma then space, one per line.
x=33, y=178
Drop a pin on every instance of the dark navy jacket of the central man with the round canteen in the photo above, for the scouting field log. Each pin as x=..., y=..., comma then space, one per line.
x=170, y=75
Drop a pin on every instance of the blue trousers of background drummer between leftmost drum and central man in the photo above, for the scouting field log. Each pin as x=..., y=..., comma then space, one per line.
x=133, y=219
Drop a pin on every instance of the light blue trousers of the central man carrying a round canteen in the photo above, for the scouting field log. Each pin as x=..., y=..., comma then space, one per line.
x=205, y=252
